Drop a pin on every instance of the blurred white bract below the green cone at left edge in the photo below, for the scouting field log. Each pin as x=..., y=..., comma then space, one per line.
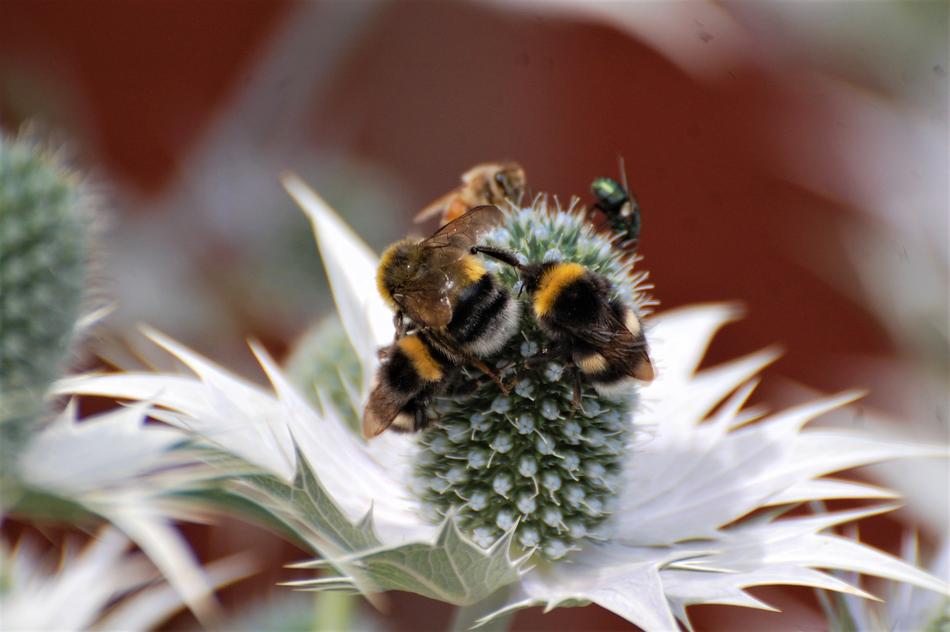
x=116, y=466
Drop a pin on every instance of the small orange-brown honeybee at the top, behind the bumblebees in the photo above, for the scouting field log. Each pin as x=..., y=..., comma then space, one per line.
x=487, y=183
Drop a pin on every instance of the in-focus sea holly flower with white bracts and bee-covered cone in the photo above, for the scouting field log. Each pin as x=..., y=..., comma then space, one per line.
x=644, y=505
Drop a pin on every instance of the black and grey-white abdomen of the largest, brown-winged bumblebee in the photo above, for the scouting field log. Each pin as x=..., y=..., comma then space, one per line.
x=485, y=317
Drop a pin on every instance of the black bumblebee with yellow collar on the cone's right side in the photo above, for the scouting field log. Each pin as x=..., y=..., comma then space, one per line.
x=573, y=306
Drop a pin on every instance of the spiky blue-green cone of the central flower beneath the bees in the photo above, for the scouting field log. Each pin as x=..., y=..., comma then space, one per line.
x=546, y=458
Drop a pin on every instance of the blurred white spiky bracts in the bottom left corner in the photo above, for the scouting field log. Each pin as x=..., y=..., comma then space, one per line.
x=103, y=586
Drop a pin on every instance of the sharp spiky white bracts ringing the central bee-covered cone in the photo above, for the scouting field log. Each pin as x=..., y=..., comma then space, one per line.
x=681, y=533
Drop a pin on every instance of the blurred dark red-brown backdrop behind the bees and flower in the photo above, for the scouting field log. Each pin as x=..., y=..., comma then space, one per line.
x=423, y=90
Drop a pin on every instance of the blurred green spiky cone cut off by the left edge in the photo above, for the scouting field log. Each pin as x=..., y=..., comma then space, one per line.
x=45, y=219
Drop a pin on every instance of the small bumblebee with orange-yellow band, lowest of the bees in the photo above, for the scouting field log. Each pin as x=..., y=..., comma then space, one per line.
x=410, y=373
